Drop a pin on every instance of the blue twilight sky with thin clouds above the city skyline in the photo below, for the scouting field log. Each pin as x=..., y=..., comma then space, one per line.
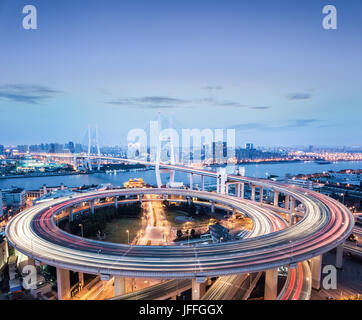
x=266, y=68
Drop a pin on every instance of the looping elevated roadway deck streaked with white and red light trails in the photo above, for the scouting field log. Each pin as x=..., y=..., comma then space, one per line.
x=326, y=224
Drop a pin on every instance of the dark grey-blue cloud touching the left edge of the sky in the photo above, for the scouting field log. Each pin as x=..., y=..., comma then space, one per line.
x=31, y=94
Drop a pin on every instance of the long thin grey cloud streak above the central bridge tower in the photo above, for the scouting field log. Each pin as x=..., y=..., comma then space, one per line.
x=162, y=102
